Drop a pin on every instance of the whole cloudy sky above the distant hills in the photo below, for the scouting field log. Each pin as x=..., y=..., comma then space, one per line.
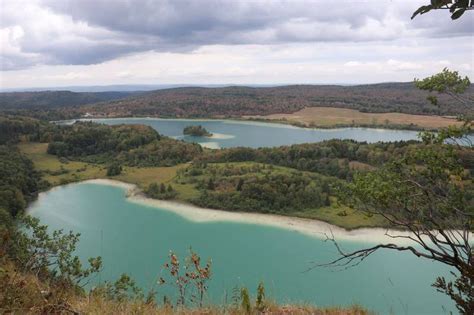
x=54, y=43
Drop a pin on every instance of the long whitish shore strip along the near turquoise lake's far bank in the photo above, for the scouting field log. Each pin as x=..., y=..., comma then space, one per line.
x=308, y=227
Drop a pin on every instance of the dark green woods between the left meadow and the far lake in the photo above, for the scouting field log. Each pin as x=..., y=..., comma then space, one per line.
x=132, y=145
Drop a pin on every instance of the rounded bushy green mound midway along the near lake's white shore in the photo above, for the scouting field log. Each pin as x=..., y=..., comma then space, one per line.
x=257, y=187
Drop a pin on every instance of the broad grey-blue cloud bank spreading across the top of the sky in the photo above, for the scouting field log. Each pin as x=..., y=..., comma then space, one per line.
x=120, y=27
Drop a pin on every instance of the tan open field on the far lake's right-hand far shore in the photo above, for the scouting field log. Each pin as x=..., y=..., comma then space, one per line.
x=332, y=117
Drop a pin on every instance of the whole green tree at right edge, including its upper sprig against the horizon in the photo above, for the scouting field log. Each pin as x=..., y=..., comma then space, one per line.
x=429, y=194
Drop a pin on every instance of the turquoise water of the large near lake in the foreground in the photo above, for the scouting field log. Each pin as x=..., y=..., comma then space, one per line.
x=136, y=239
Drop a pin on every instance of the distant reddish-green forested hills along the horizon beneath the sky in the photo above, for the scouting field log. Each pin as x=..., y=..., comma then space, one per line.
x=233, y=101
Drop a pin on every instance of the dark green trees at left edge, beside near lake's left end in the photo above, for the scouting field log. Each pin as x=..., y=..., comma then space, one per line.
x=19, y=182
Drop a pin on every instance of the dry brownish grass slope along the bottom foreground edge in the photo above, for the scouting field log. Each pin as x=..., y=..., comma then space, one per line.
x=26, y=293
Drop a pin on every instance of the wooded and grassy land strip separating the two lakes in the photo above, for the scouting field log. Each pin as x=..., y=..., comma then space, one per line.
x=305, y=180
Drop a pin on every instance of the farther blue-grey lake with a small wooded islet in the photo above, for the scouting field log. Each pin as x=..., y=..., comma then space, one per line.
x=231, y=133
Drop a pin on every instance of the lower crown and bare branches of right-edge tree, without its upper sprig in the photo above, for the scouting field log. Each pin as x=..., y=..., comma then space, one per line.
x=433, y=201
